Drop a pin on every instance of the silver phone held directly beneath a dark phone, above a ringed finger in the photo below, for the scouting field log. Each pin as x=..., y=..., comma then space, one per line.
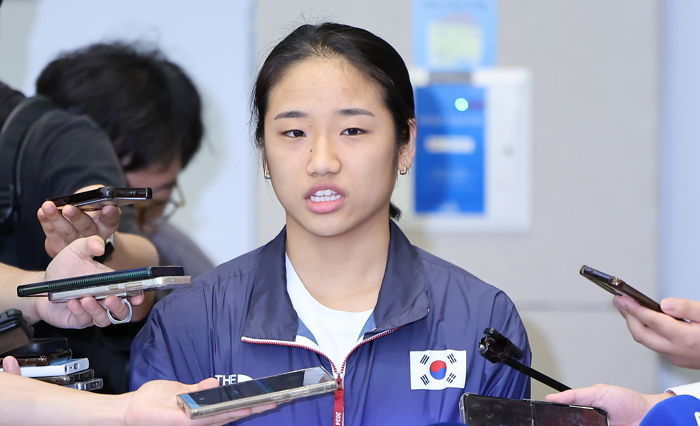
x=130, y=288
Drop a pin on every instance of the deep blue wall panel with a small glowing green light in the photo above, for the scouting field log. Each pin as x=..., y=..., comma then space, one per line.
x=449, y=171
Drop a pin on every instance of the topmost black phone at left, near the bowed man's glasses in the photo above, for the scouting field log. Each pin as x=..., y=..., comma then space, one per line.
x=95, y=199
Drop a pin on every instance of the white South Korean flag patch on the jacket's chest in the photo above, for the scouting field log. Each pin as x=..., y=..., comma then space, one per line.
x=437, y=370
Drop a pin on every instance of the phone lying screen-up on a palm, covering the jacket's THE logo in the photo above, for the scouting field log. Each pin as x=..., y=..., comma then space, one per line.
x=272, y=389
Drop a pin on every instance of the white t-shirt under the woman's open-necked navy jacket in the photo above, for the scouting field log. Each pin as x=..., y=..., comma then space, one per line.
x=335, y=332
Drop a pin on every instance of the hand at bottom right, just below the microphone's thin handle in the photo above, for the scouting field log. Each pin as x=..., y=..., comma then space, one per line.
x=624, y=406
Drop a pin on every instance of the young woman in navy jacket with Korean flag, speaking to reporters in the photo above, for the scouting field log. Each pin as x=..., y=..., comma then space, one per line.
x=340, y=286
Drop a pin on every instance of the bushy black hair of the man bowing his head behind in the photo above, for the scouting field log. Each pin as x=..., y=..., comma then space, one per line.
x=147, y=105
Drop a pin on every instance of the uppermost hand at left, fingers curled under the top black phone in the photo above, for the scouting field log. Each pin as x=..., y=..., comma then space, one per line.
x=61, y=227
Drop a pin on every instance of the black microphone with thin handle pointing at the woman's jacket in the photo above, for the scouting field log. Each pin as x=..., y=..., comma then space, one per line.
x=496, y=348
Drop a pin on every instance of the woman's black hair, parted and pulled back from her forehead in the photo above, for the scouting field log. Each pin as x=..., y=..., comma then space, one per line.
x=370, y=54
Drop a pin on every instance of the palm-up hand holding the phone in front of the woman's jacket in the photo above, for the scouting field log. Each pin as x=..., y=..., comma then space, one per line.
x=155, y=403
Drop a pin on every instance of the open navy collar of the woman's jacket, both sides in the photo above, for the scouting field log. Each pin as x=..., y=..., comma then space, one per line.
x=402, y=297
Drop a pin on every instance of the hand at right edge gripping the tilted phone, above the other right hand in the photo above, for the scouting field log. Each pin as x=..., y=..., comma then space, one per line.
x=678, y=341
